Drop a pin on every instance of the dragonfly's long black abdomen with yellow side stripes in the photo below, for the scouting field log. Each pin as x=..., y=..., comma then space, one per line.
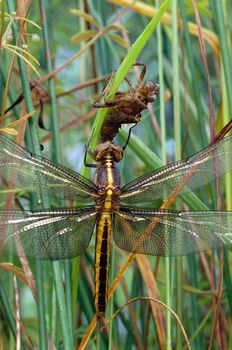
x=104, y=226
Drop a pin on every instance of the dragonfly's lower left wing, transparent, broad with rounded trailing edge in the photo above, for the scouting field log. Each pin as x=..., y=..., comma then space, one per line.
x=50, y=234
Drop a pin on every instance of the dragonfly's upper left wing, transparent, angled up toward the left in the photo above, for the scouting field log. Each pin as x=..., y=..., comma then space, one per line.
x=22, y=169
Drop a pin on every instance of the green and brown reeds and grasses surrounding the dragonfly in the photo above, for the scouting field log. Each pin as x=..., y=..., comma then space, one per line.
x=186, y=46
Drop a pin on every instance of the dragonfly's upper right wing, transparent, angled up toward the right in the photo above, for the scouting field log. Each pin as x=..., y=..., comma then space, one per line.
x=181, y=177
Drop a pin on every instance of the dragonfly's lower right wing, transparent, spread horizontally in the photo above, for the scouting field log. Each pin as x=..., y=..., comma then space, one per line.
x=171, y=233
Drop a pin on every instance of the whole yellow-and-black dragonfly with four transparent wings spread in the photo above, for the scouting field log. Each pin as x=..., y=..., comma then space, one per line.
x=66, y=232
